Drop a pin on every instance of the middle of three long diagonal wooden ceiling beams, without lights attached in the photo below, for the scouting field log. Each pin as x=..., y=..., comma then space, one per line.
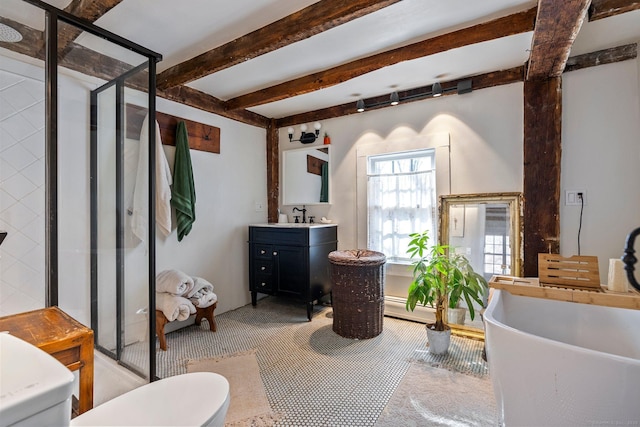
x=502, y=27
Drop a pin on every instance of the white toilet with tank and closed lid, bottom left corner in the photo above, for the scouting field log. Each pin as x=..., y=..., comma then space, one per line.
x=35, y=390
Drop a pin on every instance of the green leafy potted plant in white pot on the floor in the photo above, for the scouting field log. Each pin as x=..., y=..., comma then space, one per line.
x=441, y=278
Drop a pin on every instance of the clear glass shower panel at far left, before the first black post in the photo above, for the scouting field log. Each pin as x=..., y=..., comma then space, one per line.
x=22, y=162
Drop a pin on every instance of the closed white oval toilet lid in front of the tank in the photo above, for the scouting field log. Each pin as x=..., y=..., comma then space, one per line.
x=191, y=399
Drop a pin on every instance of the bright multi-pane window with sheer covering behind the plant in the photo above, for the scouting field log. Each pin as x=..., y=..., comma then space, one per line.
x=401, y=194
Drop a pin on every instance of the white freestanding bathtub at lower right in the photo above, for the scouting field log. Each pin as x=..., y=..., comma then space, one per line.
x=555, y=363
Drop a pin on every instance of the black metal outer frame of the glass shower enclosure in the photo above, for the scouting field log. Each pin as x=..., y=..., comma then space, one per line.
x=53, y=16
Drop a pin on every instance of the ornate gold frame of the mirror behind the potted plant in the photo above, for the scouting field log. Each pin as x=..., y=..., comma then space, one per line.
x=514, y=201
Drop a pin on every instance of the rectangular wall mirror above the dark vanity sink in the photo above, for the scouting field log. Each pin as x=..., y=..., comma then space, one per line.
x=306, y=176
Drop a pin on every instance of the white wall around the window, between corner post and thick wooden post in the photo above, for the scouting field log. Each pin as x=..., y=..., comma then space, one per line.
x=485, y=131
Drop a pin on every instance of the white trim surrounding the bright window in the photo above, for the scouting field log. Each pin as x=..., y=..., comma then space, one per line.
x=438, y=141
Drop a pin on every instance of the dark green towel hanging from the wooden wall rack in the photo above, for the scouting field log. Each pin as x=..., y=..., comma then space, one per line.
x=183, y=191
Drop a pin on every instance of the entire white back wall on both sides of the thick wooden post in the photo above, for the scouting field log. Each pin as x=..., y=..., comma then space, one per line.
x=600, y=154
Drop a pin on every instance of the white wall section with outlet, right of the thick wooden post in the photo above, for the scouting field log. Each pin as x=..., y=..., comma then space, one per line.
x=601, y=155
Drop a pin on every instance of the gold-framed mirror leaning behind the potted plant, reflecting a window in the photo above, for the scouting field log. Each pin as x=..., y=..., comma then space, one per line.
x=486, y=228
